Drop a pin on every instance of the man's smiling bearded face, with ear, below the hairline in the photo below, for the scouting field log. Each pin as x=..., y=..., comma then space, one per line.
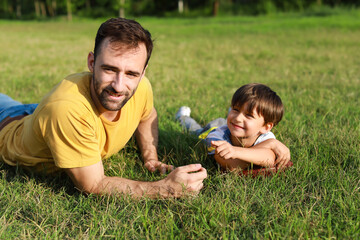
x=116, y=75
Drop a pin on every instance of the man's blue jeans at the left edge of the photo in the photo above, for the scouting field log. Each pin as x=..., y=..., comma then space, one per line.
x=11, y=108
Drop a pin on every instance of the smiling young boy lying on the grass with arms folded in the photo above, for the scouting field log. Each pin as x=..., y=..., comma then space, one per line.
x=244, y=139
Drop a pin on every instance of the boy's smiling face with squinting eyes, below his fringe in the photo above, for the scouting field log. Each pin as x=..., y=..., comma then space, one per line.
x=245, y=127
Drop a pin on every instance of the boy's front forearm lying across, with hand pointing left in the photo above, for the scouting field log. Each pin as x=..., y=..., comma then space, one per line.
x=232, y=157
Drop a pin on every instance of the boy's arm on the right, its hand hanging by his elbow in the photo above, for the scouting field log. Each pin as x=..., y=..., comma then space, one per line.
x=281, y=151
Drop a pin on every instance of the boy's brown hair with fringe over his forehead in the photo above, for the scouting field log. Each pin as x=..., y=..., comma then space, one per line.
x=260, y=97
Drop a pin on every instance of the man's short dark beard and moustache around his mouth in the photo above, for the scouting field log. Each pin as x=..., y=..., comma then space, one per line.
x=103, y=96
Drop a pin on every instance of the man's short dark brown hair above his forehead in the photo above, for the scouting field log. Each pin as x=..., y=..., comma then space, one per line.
x=123, y=33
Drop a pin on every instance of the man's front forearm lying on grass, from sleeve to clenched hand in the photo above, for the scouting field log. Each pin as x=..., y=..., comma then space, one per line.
x=183, y=180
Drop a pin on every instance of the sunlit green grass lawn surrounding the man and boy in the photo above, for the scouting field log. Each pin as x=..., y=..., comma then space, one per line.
x=311, y=62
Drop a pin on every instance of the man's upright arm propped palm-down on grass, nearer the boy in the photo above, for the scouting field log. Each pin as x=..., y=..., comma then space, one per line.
x=147, y=139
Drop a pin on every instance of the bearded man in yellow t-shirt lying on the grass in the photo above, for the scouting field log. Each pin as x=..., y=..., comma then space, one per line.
x=89, y=116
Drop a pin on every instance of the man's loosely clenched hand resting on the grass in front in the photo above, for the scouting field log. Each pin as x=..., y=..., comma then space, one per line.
x=185, y=180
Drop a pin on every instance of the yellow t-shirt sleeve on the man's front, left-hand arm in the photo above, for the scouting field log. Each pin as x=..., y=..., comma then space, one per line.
x=70, y=135
